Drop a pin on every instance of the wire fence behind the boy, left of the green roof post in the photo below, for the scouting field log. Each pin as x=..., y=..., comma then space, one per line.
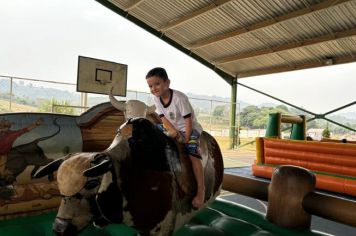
x=31, y=95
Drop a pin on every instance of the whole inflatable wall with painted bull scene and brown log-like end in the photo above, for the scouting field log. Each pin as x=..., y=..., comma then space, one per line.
x=29, y=141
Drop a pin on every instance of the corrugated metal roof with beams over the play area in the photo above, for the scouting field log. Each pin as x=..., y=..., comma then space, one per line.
x=241, y=38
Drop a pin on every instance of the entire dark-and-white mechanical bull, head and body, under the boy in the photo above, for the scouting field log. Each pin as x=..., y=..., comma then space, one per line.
x=144, y=179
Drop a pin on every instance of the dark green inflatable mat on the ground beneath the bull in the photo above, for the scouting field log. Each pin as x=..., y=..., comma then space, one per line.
x=221, y=218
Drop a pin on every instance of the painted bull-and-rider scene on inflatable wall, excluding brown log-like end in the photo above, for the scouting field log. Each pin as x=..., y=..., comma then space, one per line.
x=27, y=142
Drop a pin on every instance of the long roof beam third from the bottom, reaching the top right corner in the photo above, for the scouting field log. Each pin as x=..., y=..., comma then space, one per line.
x=267, y=23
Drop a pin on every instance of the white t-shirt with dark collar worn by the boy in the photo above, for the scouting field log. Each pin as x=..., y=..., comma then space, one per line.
x=176, y=110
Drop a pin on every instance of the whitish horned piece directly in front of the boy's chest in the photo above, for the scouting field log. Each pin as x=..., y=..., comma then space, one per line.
x=132, y=108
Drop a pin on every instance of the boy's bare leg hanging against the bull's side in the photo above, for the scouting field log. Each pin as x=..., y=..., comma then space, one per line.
x=199, y=198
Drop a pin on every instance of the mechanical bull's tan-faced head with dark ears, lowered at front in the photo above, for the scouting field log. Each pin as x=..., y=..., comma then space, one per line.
x=79, y=179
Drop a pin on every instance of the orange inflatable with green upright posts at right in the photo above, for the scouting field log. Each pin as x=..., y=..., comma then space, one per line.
x=333, y=163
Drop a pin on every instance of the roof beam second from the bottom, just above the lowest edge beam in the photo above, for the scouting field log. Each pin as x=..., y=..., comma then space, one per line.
x=289, y=46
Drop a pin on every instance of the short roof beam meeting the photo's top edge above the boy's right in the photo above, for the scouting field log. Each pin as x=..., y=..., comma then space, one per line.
x=176, y=22
